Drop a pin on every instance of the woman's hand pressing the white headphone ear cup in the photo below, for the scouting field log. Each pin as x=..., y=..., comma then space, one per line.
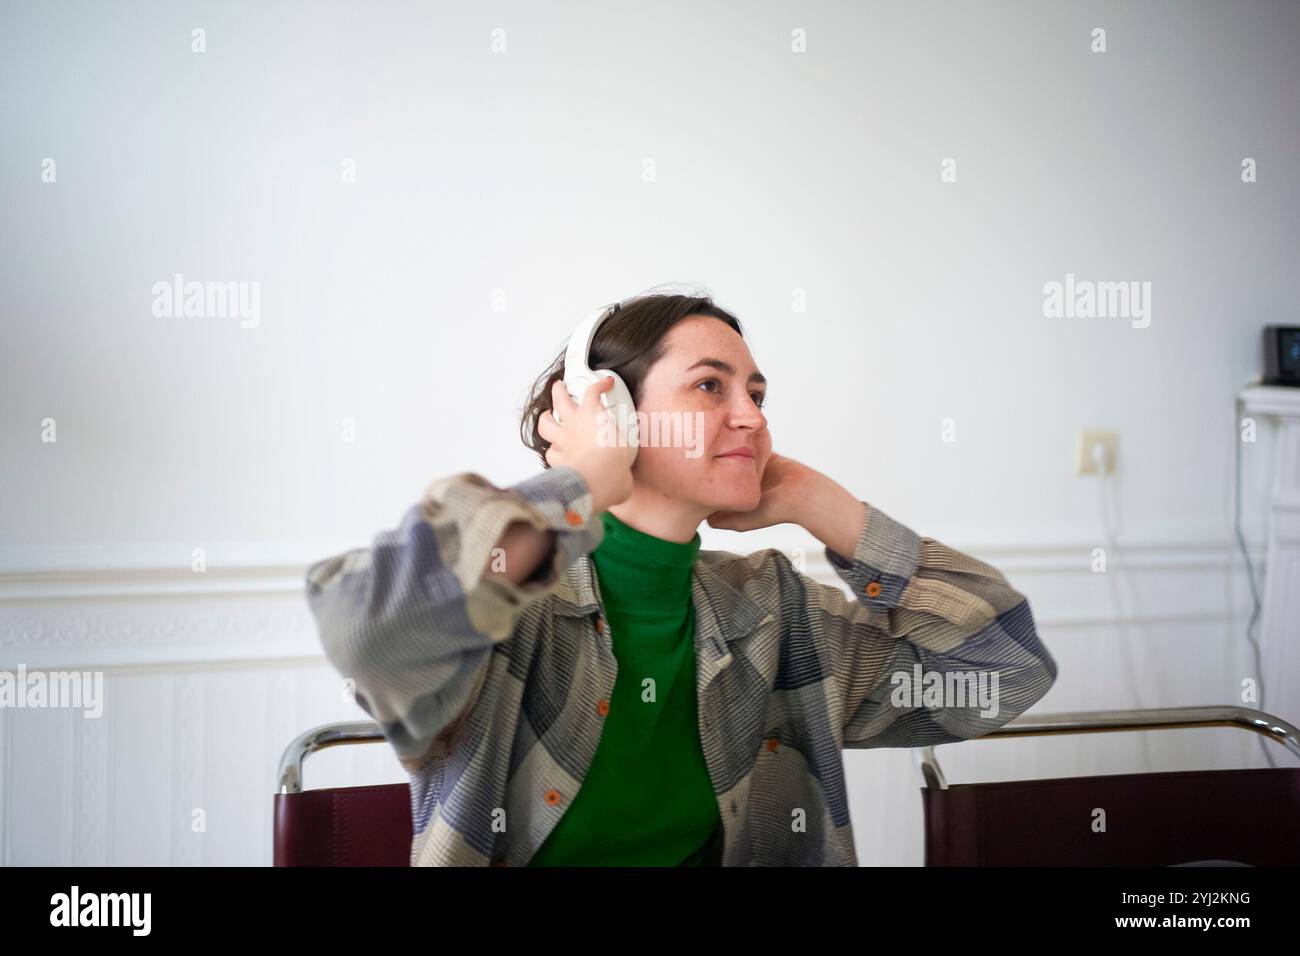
x=606, y=468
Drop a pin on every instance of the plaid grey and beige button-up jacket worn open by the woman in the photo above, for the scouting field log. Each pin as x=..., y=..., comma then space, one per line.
x=492, y=694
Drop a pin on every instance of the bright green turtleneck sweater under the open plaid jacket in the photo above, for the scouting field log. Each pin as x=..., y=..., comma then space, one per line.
x=647, y=799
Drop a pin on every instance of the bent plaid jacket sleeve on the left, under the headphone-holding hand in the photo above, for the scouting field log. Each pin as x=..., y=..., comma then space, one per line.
x=413, y=620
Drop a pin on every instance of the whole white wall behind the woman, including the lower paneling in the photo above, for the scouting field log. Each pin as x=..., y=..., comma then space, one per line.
x=499, y=198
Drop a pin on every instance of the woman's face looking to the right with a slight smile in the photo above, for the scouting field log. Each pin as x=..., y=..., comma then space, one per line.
x=708, y=393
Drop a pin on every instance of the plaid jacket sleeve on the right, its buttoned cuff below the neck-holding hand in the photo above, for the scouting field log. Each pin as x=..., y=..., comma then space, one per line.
x=935, y=648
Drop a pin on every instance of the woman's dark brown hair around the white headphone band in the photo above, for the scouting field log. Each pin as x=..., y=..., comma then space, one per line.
x=629, y=343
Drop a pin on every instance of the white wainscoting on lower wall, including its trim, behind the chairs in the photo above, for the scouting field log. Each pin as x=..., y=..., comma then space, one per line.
x=210, y=676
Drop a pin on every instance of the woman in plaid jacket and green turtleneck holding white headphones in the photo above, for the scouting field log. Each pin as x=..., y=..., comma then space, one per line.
x=571, y=681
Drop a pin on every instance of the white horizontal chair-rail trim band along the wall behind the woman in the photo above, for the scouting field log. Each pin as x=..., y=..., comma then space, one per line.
x=154, y=616
